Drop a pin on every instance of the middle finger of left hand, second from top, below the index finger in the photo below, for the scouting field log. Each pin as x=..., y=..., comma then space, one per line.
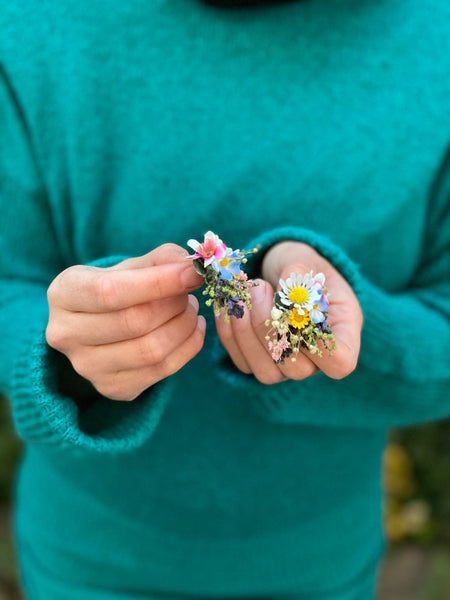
x=93, y=329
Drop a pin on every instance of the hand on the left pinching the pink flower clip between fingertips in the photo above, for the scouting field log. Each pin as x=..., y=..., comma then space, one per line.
x=126, y=327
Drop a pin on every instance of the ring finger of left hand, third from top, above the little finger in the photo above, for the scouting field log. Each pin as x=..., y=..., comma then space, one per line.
x=145, y=351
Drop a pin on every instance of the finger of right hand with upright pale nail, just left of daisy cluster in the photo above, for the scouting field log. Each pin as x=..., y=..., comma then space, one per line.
x=247, y=334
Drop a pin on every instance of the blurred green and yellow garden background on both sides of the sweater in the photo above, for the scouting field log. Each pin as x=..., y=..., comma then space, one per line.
x=417, y=512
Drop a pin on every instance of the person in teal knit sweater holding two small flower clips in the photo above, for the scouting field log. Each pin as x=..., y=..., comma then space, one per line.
x=165, y=454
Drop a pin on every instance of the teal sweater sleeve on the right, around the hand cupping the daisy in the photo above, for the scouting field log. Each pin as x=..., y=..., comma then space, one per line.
x=399, y=380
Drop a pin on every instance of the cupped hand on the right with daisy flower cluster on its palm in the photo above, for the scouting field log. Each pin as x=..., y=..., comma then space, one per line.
x=244, y=339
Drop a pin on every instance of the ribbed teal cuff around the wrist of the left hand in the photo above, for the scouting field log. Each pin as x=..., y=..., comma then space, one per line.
x=42, y=414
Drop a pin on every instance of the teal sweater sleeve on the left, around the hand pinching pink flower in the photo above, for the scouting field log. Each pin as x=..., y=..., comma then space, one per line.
x=30, y=371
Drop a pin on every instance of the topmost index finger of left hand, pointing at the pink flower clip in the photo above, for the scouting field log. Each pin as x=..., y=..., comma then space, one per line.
x=98, y=290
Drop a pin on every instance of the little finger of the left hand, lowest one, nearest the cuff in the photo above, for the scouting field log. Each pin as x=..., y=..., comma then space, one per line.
x=127, y=385
